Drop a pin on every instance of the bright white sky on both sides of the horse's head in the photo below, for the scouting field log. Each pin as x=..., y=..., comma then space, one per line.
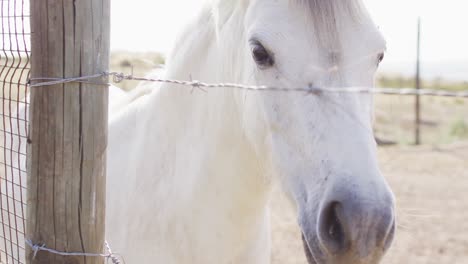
x=142, y=25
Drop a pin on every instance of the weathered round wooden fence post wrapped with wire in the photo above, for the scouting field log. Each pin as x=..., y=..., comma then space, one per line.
x=68, y=130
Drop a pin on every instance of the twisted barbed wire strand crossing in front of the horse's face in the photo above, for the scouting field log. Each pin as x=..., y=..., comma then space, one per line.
x=120, y=77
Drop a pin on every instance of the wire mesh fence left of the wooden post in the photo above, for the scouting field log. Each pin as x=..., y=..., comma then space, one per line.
x=14, y=72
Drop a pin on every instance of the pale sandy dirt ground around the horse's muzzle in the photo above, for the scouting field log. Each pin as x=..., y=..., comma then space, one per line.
x=431, y=187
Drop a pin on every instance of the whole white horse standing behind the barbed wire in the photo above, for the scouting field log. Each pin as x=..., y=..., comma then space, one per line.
x=190, y=172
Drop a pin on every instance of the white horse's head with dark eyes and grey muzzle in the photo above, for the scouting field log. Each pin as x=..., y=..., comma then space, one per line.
x=320, y=145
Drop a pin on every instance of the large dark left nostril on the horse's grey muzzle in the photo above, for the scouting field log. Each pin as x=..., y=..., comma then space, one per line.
x=331, y=229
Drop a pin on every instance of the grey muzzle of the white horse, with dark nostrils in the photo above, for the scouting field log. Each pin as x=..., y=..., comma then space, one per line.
x=349, y=228
